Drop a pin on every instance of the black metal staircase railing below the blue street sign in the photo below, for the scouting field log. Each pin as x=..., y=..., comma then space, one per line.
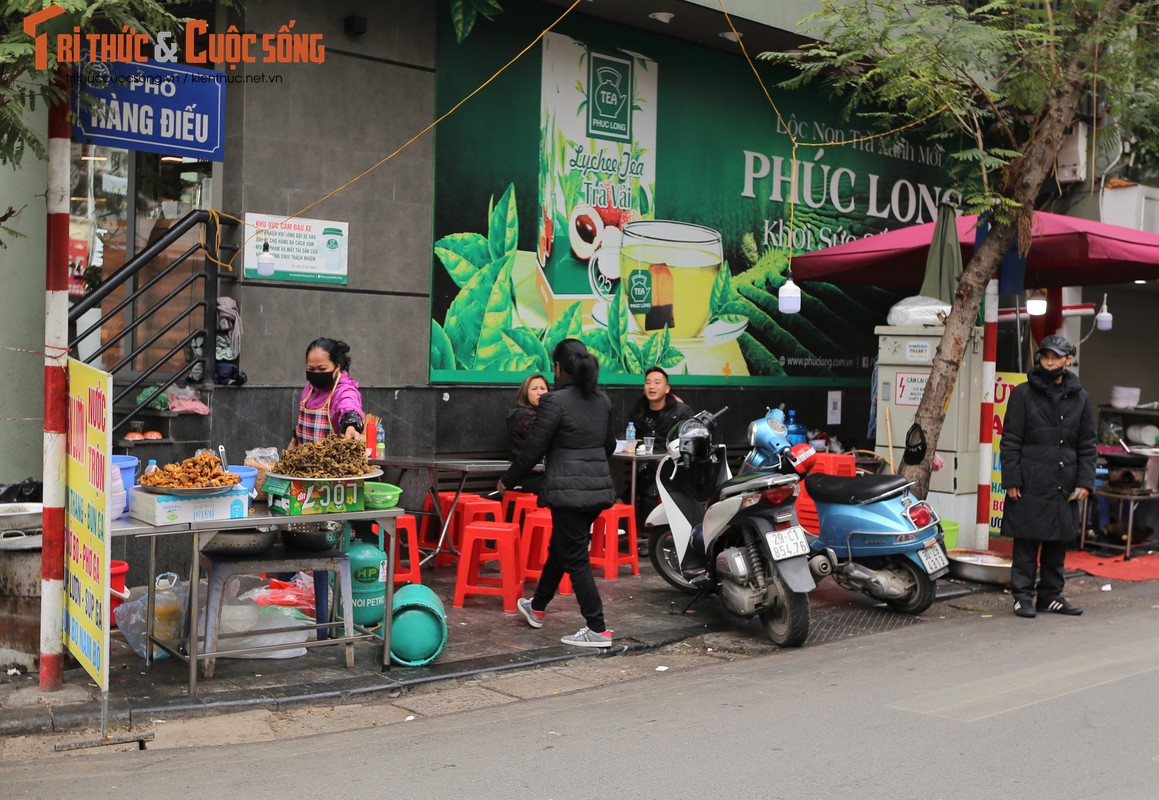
x=207, y=303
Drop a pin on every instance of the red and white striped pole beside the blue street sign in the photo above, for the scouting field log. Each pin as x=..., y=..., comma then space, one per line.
x=56, y=401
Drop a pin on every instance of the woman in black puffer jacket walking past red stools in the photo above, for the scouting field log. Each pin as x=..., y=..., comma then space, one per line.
x=574, y=431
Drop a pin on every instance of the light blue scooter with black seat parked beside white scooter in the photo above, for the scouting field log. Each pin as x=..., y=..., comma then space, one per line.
x=876, y=537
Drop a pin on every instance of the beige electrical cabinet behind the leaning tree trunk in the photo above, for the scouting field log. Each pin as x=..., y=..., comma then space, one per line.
x=906, y=358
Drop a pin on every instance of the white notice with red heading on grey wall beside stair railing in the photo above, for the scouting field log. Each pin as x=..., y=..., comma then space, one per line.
x=310, y=251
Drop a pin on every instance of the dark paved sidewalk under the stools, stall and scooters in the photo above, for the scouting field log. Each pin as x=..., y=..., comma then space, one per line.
x=482, y=639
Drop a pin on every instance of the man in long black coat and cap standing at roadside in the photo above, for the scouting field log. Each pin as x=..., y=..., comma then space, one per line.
x=1048, y=454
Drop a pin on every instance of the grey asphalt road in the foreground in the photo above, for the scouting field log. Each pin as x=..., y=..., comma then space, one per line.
x=979, y=704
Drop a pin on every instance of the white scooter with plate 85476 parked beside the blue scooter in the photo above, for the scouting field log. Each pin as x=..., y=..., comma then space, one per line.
x=733, y=537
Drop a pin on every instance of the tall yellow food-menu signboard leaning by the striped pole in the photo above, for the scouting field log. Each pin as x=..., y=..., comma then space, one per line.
x=90, y=446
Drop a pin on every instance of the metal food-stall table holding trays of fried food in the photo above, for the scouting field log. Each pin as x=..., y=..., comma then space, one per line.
x=260, y=517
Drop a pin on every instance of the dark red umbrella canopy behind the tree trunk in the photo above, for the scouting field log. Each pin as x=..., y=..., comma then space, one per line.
x=1065, y=252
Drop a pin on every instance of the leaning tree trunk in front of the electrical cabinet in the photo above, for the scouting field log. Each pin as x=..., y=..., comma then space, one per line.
x=1022, y=180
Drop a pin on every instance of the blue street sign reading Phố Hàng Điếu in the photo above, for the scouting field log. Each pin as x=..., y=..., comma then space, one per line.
x=171, y=110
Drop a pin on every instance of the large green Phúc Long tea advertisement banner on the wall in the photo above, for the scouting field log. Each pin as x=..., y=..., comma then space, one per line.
x=638, y=193
